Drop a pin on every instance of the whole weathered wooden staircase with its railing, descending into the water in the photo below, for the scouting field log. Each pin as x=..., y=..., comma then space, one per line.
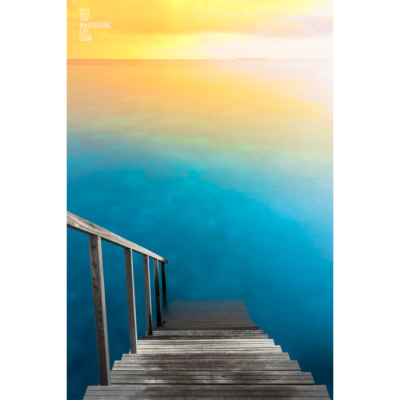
x=196, y=350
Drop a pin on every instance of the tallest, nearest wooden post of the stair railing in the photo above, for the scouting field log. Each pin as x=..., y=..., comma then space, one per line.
x=99, y=302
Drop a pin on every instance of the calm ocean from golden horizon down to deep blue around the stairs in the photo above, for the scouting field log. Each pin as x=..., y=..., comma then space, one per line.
x=226, y=169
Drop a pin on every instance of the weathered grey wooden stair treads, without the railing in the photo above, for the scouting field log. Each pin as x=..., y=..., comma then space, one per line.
x=208, y=359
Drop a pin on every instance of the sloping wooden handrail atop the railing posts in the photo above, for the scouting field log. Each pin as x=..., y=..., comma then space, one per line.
x=81, y=225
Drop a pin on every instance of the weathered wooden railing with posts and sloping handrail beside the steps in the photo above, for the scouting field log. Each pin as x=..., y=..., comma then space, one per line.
x=96, y=235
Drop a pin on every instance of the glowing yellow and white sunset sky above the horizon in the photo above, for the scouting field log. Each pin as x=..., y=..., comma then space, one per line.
x=201, y=29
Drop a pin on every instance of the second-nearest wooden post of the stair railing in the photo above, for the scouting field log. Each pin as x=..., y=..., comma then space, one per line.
x=130, y=289
